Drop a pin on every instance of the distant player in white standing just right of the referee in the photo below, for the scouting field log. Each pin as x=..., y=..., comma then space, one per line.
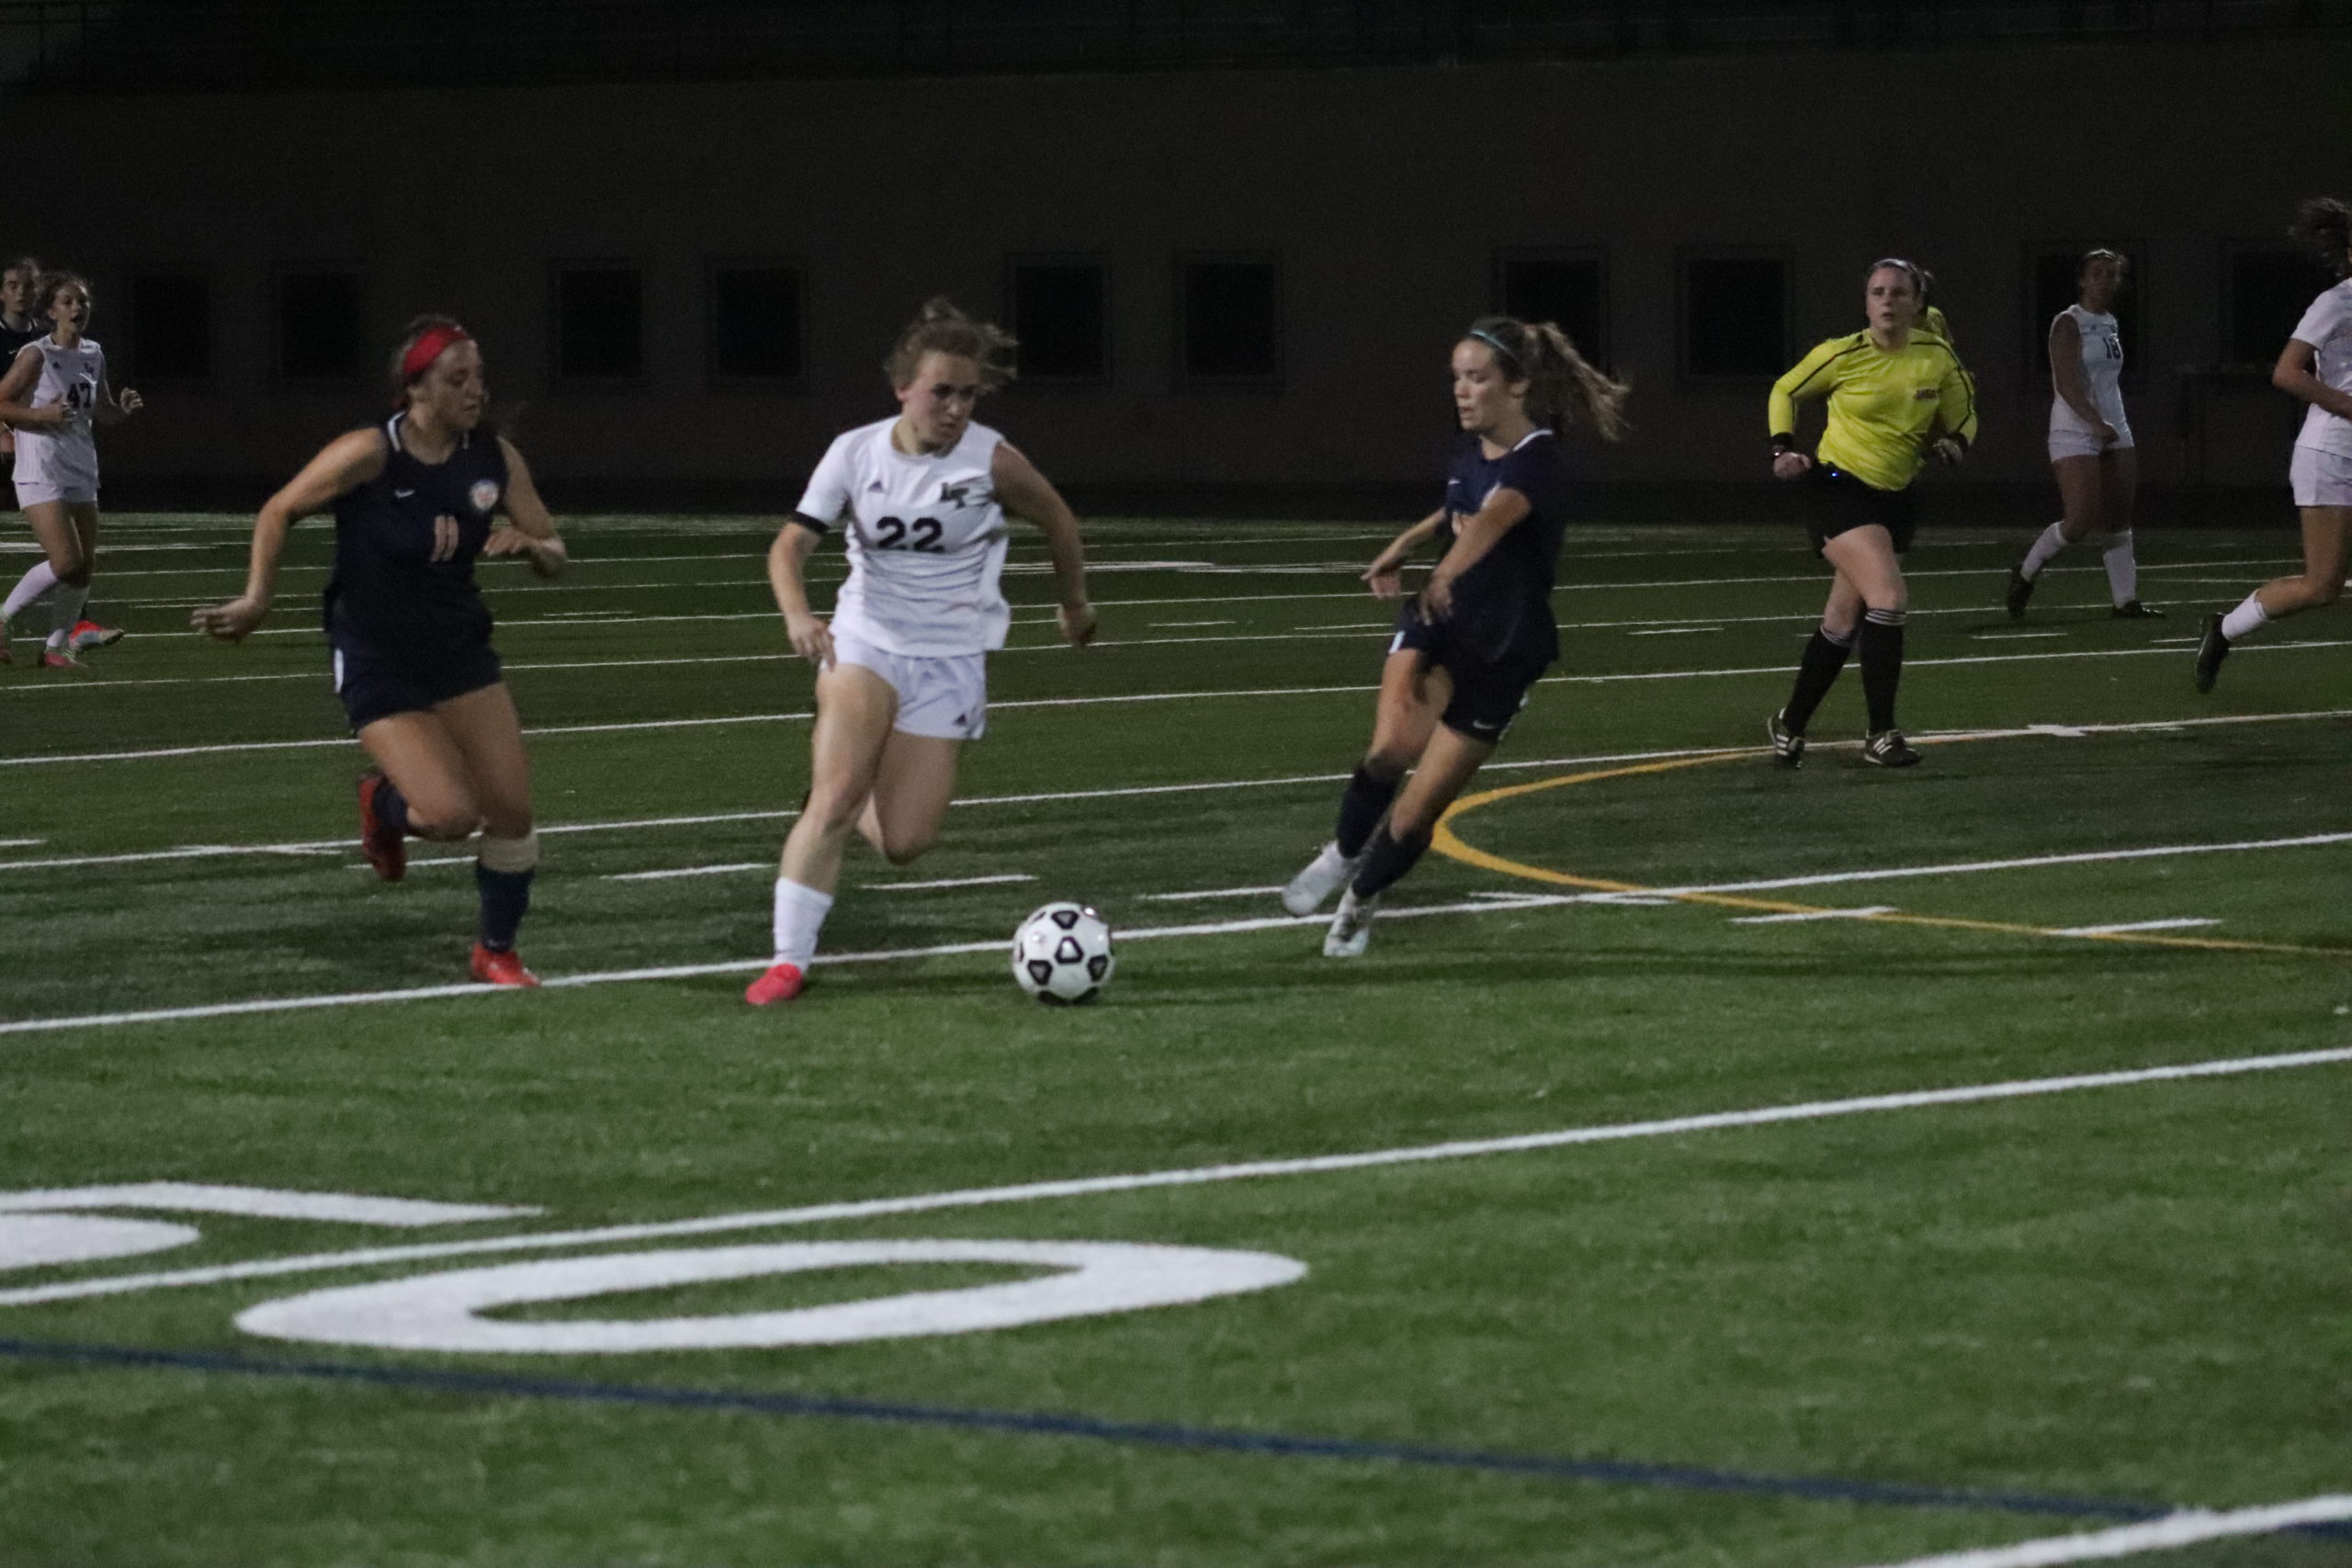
x=2099, y=471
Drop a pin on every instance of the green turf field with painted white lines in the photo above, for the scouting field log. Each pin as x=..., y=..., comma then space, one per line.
x=1544, y=1320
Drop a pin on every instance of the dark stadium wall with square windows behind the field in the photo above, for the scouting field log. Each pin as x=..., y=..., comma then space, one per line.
x=1384, y=192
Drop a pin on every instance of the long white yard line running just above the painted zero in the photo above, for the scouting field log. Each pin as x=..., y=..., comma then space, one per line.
x=1196, y=1177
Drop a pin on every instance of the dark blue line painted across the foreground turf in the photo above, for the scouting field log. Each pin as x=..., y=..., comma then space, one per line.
x=1043, y=1423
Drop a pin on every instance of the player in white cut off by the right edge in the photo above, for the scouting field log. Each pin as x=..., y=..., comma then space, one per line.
x=2316, y=368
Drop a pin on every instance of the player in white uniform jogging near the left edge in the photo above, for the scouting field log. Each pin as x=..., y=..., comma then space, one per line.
x=51, y=396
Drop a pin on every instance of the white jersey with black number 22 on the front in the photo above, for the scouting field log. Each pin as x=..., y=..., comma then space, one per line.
x=926, y=542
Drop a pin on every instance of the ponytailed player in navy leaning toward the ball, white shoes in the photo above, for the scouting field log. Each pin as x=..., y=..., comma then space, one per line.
x=1481, y=631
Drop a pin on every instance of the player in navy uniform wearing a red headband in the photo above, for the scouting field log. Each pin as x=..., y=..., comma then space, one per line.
x=415, y=502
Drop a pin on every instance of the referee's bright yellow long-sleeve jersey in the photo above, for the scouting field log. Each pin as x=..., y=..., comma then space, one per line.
x=1885, y=408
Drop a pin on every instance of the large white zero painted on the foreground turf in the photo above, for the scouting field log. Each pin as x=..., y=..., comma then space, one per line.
x=443, y=1313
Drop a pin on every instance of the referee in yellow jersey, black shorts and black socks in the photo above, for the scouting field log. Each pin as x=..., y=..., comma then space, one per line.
x=1897, y=394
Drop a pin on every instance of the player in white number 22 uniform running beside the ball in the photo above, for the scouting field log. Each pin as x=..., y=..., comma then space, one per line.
x=902, y=666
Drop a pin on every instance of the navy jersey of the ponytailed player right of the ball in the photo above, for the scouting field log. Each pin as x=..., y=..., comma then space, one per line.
x=1504, y=603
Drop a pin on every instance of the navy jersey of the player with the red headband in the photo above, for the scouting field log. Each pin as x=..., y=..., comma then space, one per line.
x=406, y=544
